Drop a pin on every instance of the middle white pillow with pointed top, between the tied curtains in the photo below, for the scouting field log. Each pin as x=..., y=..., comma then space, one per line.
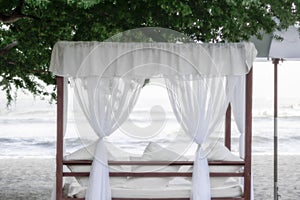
x=153, y=152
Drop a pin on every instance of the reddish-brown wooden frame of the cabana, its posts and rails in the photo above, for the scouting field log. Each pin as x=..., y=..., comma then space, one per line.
x=246, y=163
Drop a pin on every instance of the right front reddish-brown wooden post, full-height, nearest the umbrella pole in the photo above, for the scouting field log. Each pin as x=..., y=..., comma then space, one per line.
x=248, y=135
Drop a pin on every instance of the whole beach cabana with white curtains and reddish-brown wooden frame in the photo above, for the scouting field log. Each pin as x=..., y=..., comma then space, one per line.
x=204, y=81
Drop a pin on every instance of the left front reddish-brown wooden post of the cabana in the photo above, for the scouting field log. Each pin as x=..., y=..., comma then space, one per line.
x=60, y=129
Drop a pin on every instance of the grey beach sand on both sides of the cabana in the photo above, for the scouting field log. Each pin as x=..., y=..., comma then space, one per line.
x=33, y=178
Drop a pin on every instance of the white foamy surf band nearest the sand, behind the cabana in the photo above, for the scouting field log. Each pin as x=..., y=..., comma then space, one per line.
x=45, y=147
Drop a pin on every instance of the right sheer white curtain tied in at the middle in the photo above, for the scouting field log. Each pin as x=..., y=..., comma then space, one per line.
x=199, y=103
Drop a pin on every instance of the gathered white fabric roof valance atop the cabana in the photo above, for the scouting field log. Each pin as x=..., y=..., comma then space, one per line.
x=150, y=59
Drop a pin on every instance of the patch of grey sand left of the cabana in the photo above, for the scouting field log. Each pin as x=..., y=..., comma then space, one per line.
x=26, y=178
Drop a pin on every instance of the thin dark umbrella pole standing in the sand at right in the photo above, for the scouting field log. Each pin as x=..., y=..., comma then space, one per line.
x=275, y=62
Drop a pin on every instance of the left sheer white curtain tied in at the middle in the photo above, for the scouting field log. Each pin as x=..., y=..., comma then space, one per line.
x=106, y=103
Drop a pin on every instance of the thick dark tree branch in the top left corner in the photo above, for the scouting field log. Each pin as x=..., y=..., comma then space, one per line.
x=16, y=14
